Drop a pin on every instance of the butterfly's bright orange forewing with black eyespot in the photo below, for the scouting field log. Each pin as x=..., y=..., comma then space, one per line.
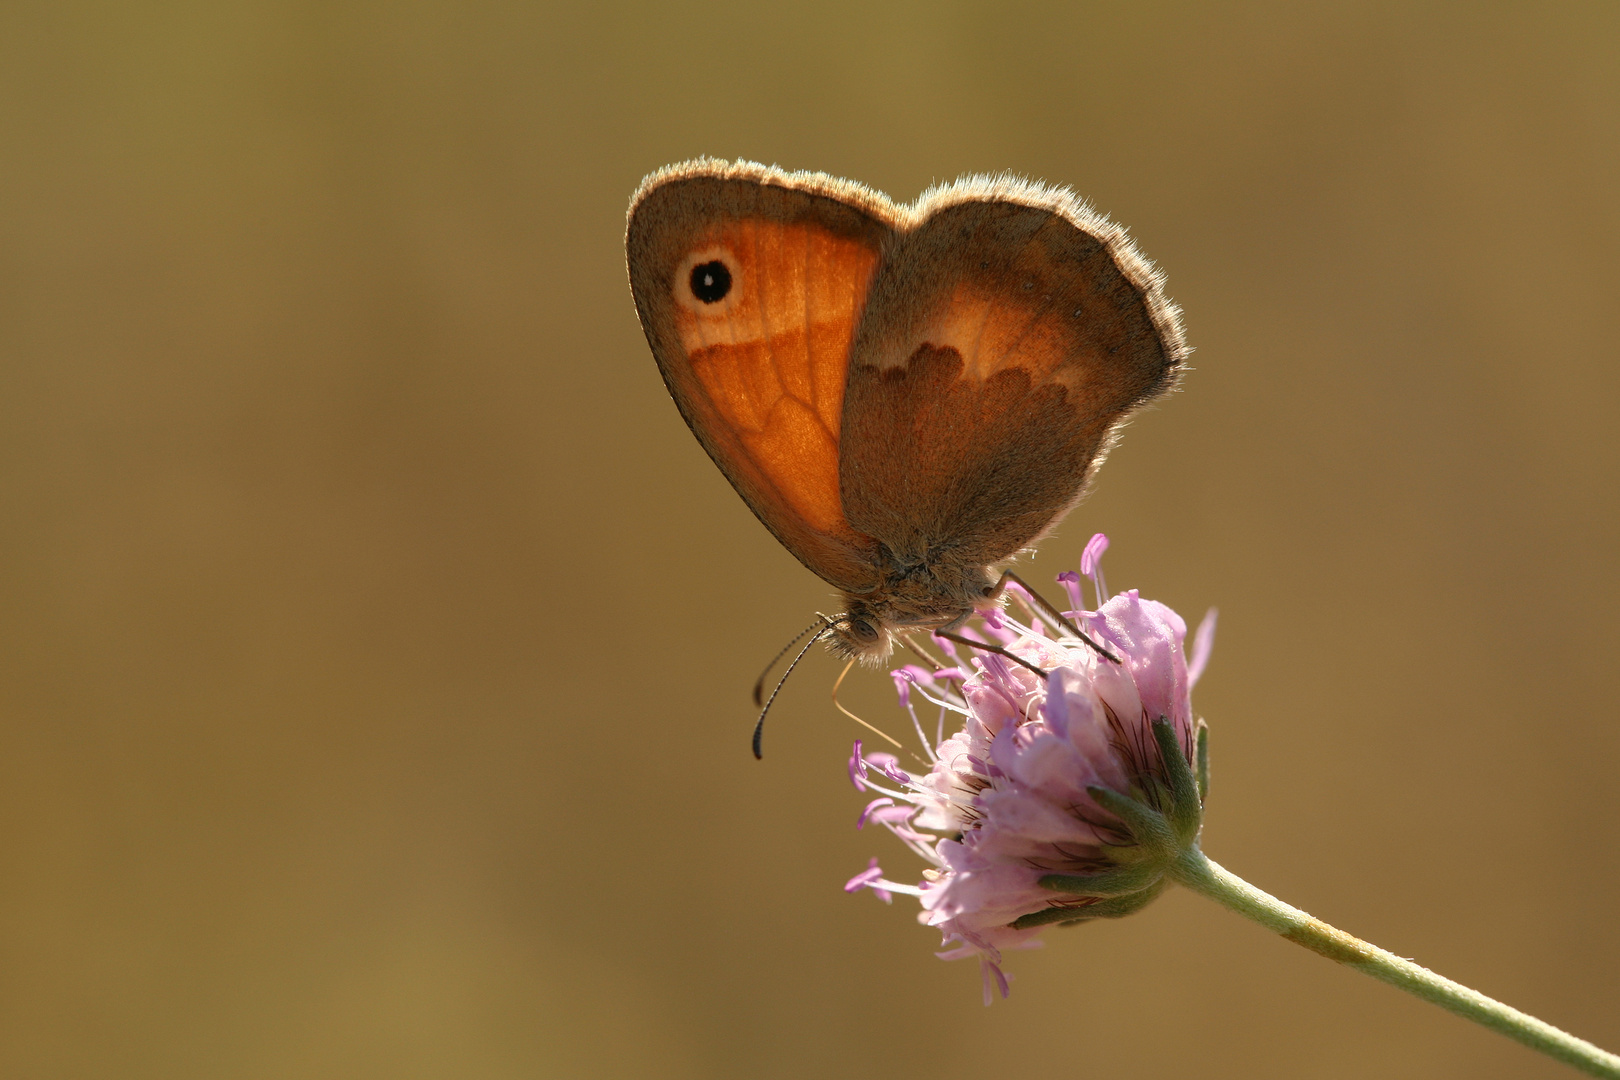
x=749, y=284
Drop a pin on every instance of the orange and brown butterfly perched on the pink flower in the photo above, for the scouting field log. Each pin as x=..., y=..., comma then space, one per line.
x=906, y=396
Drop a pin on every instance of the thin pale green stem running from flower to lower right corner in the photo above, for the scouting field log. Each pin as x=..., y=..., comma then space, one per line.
x=1200, y=874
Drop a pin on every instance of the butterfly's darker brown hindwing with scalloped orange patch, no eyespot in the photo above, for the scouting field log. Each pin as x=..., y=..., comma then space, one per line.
x=1018, y=333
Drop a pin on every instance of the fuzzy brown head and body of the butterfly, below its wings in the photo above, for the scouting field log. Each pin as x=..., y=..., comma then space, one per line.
x=914, y=595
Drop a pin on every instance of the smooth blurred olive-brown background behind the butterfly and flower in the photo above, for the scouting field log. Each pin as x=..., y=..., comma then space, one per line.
x=377, y=640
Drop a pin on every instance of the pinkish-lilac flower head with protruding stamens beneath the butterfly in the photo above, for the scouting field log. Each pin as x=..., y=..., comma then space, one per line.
x=1008, y=812
